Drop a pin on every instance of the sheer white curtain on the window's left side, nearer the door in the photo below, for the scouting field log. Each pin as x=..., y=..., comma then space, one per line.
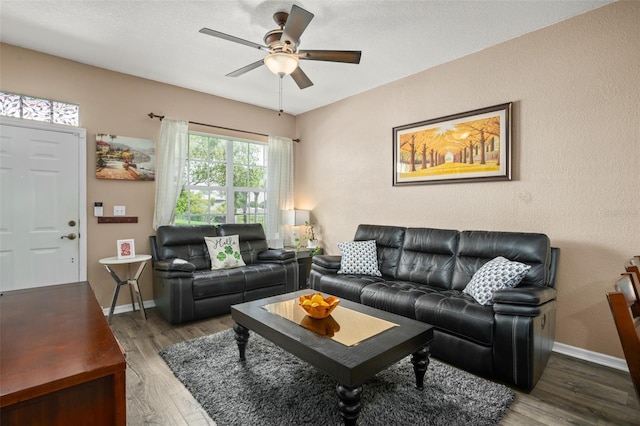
x=171, y=155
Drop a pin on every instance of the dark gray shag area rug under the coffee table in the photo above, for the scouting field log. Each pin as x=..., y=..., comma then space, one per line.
x=274, y=388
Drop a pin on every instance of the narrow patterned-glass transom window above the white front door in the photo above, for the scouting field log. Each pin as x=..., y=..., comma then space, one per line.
x=20, y=106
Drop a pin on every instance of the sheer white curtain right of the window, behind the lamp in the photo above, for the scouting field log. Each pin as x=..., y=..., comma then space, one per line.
x=279, y=183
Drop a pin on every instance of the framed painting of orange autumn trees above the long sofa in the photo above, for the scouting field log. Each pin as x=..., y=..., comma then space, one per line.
x=467, y=147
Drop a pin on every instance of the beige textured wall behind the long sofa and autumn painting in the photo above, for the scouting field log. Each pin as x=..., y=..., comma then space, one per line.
x=576, y=157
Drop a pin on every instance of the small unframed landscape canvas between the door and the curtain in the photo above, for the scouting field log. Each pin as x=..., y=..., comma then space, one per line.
x=120, y=157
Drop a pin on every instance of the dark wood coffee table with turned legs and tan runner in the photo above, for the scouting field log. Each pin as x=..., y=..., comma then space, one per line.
x=352, y=345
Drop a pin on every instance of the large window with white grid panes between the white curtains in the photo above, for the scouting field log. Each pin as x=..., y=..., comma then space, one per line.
x=224, y=182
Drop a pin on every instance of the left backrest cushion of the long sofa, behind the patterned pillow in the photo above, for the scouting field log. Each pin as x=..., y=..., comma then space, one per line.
x=388, y=244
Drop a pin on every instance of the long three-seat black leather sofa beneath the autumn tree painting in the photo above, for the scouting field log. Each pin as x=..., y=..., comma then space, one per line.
x=424, y=271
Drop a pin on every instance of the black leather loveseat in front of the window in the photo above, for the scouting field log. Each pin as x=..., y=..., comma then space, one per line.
x=184, y=286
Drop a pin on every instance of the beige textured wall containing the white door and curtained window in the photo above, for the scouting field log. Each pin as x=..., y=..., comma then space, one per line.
x=115, y=103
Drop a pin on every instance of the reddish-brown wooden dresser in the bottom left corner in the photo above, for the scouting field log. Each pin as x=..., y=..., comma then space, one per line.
x=59, y=361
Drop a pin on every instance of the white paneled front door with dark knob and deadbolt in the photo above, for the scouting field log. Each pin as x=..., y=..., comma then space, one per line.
x=42, y=204
